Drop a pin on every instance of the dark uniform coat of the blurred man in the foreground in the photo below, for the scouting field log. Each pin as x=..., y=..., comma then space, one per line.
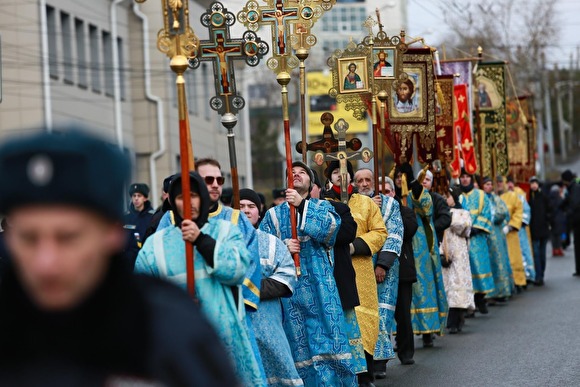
x=131, y=327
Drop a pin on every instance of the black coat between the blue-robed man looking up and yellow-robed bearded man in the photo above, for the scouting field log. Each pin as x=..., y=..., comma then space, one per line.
x=344, y=273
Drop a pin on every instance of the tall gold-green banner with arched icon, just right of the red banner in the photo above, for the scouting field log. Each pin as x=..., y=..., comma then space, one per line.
x=490, y=119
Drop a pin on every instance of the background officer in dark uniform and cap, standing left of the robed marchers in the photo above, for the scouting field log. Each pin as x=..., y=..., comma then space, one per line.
x=137, y=220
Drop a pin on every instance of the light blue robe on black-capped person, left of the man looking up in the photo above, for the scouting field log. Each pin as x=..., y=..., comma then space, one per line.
x=267, y=322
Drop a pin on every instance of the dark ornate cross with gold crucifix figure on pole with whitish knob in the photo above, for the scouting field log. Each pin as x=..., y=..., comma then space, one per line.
x=222, y=51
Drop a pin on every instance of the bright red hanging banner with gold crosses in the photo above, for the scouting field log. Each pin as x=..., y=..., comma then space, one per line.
x=463, y=134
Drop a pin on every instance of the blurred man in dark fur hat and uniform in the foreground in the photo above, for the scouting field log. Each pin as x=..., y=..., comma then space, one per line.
x=70, y=311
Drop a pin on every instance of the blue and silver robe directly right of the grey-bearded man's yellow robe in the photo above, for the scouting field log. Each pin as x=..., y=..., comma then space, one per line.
x=389, y=287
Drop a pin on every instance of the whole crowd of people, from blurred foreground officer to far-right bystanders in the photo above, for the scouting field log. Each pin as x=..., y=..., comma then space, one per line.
x=378, y=266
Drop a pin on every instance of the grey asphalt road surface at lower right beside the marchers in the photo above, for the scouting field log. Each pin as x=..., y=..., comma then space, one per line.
x=532, y=340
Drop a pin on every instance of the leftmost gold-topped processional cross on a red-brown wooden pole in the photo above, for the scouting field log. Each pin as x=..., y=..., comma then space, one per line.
x=178, y=41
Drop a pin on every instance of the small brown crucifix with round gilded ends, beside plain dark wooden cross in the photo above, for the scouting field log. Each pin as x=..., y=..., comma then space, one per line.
x=342, y=155
